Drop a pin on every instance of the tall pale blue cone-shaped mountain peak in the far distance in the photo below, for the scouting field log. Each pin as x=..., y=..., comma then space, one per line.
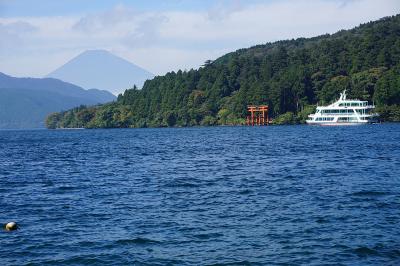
x=102, y=70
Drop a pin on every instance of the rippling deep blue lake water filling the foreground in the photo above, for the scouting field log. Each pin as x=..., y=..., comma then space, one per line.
x=282, y=195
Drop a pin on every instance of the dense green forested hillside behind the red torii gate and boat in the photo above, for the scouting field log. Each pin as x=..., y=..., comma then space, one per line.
x=290, y=76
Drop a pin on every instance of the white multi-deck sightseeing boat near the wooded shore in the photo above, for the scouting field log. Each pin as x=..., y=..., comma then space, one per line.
x=344, y=112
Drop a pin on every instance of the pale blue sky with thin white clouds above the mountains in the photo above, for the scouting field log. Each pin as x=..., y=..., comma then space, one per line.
x=38, y=36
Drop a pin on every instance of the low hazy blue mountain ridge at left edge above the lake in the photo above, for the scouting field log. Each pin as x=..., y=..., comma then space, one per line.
x=25, y=102
